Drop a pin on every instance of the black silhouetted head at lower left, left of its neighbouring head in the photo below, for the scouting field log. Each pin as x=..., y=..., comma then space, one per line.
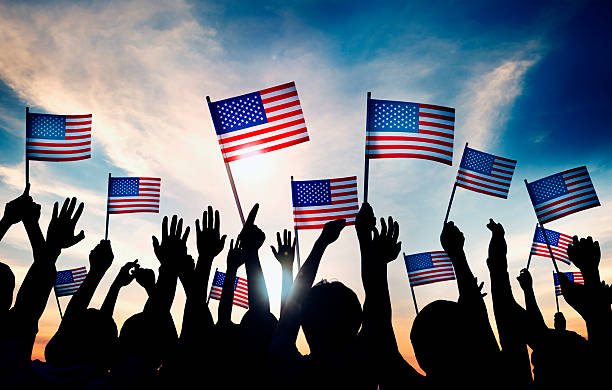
x=87, y=339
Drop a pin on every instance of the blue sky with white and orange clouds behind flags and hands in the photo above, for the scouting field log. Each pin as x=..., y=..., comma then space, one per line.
x=529, y=80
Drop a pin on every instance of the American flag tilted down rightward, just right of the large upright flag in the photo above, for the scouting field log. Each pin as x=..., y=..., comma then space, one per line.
x=485, y=173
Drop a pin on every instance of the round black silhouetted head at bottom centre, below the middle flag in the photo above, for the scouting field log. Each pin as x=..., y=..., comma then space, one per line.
x=331, y=316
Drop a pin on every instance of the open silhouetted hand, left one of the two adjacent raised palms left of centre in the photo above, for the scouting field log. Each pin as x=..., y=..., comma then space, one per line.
x=173, y=245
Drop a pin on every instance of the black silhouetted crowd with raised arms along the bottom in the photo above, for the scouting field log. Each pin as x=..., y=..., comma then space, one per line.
x=352, y=345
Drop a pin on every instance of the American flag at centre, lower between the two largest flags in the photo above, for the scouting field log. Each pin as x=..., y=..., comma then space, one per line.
x=316, y=202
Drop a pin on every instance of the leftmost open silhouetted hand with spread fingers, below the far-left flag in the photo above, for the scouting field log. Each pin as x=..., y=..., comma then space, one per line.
x=60, y=233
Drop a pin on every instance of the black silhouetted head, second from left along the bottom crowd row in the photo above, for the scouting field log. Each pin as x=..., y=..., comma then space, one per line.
x=148, y=337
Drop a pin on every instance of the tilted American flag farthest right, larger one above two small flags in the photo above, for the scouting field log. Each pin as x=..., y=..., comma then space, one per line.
x=562, y=194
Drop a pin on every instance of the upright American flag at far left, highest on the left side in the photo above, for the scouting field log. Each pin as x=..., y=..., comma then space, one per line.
x=58, y=137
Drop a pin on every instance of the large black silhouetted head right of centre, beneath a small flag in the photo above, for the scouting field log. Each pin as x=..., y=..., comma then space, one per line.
x=443, y=341
